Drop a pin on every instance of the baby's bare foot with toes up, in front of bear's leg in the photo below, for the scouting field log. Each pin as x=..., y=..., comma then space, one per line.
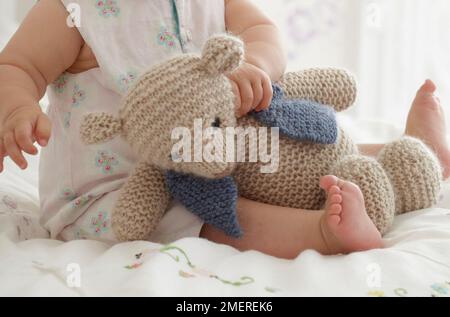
x=345, y=225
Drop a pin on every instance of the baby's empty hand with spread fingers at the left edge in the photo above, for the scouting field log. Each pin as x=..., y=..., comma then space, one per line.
x=20, y=130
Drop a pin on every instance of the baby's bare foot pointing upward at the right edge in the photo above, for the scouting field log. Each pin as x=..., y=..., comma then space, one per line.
x=426, y=122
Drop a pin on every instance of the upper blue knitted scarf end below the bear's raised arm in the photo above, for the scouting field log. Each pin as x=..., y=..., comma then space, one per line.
x=301, y=120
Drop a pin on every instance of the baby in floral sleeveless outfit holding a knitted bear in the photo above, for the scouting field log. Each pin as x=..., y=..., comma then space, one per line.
x=90, y=67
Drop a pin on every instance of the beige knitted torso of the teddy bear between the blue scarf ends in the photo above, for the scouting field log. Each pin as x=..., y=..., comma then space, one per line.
x=301, y=165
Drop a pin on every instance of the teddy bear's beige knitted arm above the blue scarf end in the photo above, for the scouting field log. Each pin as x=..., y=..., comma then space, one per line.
x=333, y=87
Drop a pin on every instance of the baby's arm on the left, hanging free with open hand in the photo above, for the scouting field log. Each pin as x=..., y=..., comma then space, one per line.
x=42, y=49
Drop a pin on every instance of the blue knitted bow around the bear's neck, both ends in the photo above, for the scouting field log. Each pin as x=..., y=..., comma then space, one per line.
x=214, y=201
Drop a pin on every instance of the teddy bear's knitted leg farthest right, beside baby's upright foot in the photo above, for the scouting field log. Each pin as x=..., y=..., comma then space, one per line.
x=415, y=174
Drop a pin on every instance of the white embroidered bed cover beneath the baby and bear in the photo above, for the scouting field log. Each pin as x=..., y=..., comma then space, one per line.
x=416, y=261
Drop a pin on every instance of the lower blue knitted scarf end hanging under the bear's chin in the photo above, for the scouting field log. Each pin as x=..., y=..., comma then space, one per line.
x=212, y=200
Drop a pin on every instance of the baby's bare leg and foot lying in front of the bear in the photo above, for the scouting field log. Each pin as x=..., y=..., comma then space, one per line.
x=342, y=227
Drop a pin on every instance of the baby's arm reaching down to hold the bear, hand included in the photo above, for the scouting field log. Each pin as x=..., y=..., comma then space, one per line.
x=265, y=58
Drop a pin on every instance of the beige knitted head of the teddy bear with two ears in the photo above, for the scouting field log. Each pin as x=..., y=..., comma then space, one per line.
x=175, y=94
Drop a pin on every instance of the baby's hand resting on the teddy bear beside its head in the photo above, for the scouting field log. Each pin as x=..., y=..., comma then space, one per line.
x=253, y=89
